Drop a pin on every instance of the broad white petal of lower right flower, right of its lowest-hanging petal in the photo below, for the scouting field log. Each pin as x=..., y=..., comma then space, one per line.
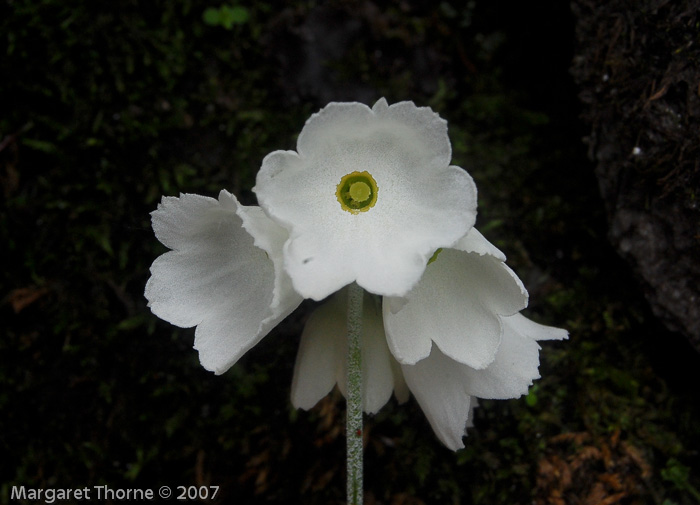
x=511, y=373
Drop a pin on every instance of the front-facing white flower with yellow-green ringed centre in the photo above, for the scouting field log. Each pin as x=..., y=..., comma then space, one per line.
x=368, y=196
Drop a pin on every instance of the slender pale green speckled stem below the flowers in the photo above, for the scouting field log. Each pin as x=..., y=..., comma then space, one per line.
x=354, y=396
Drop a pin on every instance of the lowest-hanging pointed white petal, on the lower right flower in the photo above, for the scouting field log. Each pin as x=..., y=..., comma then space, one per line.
x=438, y=384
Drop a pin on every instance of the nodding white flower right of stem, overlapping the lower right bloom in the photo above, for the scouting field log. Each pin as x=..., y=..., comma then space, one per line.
x=456, y=304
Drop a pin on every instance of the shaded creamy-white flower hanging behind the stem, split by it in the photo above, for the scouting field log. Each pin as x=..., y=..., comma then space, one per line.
x=321, y=361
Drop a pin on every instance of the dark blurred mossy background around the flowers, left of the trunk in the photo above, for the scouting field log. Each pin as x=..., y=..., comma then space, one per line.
x=108, y=106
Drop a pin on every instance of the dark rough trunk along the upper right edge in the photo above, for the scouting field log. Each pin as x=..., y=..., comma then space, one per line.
x=638, y=68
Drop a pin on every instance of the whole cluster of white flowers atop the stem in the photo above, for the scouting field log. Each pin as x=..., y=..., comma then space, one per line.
x=370, y=198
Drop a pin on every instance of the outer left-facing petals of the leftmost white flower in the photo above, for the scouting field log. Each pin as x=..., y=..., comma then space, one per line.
x=214, y=278
